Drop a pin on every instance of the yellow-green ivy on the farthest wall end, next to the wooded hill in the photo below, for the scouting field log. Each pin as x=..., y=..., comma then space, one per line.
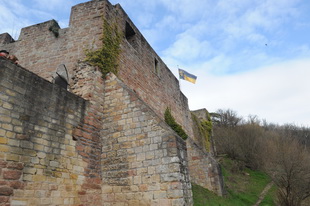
x=204, y=129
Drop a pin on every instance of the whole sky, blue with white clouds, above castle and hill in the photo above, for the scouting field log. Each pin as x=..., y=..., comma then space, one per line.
x=251, y=56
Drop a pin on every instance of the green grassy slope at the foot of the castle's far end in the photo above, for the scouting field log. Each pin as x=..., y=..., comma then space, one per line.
x=243, y=187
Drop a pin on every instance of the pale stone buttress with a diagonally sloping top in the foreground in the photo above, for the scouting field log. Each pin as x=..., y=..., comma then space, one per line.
x=149, y=158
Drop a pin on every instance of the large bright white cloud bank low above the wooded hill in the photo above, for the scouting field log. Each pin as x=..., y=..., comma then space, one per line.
x=278, y=93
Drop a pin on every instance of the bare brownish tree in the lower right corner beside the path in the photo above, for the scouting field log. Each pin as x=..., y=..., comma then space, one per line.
x=289, y=167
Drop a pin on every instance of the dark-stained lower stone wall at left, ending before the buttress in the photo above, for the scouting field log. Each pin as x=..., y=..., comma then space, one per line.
x=40, y=161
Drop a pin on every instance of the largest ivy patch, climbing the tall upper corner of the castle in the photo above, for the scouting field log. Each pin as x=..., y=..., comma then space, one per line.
x=106, y=57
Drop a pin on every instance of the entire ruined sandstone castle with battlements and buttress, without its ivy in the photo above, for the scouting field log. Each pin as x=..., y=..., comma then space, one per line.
x=105, y=141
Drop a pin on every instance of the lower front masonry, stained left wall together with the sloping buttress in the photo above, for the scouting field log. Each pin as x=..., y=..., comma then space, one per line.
x=59, y=149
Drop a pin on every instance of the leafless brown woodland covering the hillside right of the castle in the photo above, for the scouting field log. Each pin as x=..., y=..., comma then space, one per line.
x=282, y=151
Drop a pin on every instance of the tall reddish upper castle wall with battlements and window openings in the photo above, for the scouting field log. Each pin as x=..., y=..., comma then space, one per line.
x=41, y=51
